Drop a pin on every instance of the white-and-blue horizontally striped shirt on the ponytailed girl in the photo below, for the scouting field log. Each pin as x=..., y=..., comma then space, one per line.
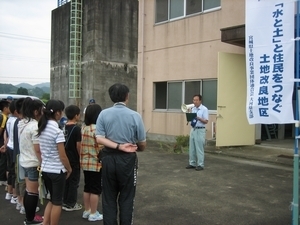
x=49, y=139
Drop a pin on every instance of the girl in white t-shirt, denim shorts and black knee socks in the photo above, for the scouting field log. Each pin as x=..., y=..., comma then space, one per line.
x=30, y=157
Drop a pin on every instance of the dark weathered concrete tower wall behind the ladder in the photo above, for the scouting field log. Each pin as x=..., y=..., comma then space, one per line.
x=109, y=50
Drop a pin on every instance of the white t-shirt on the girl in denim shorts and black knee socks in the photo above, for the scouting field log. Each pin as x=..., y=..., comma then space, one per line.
x=28, y=137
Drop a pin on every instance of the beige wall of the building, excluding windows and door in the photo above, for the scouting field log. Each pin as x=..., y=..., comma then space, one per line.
x=183, y=49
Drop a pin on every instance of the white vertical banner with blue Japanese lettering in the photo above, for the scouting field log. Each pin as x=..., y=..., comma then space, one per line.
x=270, y=61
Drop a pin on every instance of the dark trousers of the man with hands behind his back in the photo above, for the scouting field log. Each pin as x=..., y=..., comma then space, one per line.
x=119, y=172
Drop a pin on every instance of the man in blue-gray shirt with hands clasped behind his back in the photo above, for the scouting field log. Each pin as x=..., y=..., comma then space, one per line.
x=121, y=131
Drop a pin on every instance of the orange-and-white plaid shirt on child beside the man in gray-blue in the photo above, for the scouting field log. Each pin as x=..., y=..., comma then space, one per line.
x=89, y=149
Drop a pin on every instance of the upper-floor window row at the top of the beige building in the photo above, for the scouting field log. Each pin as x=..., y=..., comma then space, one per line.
x=172, y=9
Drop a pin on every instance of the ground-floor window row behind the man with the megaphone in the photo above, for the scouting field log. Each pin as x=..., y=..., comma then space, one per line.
x=171, y=95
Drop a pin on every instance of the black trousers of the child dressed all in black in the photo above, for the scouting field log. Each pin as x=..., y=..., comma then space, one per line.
x=72, y=184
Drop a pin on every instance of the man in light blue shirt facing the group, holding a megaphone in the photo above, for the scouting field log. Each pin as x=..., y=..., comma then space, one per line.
x=197, y=135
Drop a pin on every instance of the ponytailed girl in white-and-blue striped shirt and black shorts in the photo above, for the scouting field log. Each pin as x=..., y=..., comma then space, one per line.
x=55, y=163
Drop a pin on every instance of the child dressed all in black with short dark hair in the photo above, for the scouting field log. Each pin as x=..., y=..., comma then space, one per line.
x=72, y=146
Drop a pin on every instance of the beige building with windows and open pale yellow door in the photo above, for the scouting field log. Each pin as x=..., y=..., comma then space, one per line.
x=180, y=54
